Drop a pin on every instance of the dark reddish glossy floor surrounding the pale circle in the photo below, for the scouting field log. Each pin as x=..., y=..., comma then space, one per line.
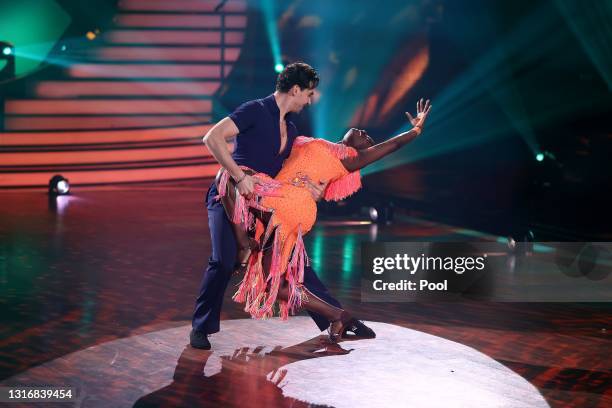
x=105, y=265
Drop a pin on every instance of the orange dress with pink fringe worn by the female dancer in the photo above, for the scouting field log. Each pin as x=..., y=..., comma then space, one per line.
x=294, y=214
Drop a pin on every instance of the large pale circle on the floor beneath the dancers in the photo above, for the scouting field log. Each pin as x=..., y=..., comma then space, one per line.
x=274, y=363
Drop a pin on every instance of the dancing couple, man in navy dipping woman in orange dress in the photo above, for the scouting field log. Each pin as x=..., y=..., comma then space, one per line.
x=263, y=202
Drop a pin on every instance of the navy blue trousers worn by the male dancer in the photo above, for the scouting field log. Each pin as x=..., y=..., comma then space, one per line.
x=207, y=313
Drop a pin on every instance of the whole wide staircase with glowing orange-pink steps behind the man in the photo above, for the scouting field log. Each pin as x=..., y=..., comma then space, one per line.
x=135, y=106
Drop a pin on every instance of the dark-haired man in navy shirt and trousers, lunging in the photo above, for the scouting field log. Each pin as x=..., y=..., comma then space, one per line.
x=264, y=135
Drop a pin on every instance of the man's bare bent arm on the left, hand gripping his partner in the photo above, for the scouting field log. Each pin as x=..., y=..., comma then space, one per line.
x=216, y=142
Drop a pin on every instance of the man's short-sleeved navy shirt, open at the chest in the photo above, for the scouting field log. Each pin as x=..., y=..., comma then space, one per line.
x=257, y=145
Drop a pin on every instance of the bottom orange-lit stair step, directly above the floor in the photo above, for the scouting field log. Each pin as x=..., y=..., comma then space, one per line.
x=98, y=177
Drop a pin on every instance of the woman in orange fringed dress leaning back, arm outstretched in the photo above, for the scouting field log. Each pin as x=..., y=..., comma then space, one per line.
x=283, y=211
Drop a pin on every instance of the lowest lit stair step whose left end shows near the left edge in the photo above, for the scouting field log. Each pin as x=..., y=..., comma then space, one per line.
x=106, y=106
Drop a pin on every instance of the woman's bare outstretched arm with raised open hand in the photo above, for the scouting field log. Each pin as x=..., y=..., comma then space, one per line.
x=377, y=152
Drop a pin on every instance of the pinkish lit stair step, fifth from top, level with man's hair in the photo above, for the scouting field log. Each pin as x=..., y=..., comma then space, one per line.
x=145, y=71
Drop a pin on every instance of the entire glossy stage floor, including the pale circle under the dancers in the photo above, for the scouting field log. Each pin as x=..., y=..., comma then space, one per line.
x=105, y=281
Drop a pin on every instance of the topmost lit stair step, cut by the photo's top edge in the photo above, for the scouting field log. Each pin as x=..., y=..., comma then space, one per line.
x=207, y=6
